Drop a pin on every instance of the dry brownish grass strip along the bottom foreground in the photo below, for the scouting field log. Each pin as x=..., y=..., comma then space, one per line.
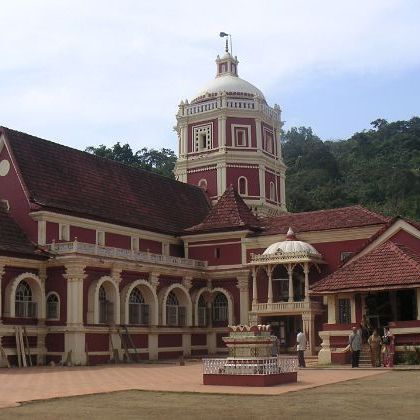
x=390, y=396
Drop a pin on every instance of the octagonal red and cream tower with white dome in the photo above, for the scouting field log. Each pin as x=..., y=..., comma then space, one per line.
x=229, y=135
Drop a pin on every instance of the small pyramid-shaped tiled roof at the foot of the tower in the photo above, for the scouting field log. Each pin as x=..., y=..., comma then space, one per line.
x=230, y=213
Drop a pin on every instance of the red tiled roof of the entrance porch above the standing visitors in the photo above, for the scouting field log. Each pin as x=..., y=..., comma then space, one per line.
x=388, y=265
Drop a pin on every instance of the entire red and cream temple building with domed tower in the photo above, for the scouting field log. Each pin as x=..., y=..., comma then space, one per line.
x=100, y=261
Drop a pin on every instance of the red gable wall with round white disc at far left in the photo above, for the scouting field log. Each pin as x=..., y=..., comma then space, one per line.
x=11, y=190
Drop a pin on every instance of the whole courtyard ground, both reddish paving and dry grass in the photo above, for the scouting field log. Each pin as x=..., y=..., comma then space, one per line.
x=172, y=391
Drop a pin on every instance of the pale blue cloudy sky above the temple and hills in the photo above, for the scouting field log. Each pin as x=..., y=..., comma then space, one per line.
x=90, y=72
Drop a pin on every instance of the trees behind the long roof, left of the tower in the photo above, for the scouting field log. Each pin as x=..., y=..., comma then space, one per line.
x=159, y=161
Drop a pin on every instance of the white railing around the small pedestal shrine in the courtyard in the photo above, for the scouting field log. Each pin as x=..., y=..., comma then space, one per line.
x=251, y=366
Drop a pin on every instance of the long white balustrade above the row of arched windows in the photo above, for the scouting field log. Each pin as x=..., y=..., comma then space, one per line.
x=76, y=247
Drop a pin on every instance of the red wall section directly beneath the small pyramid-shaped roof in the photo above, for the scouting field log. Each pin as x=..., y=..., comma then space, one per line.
x=229, y=254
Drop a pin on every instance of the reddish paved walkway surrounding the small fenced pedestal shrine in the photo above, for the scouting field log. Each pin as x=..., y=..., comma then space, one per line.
x=19, y=385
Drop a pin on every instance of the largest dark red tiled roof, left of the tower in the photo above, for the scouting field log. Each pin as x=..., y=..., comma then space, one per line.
x=64, y=179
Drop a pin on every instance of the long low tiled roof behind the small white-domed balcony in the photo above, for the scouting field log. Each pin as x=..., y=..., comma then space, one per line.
x=340, y=218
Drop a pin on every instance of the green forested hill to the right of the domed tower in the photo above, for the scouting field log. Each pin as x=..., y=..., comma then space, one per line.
x=377, y=168
